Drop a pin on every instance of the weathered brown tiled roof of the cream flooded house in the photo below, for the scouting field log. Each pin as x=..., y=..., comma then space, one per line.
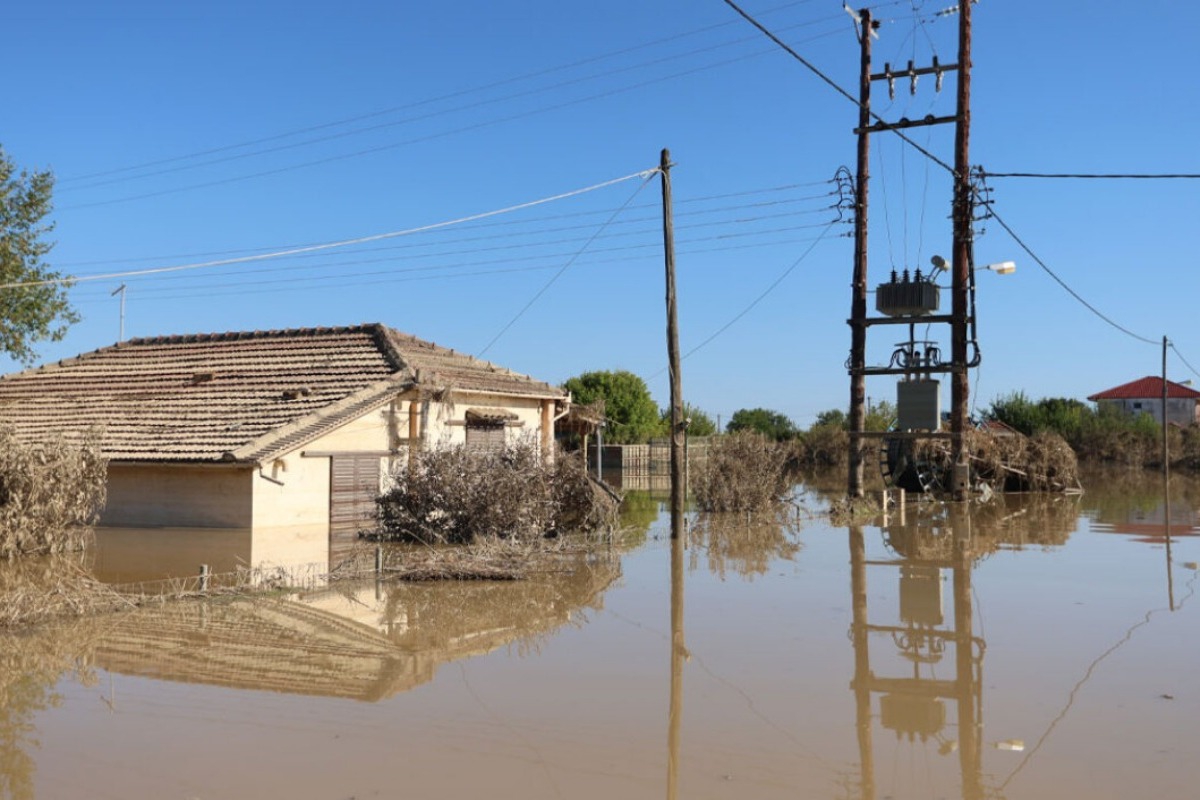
x=238, y=396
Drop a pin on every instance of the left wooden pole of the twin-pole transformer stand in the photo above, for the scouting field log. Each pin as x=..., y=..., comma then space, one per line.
x=859, y=303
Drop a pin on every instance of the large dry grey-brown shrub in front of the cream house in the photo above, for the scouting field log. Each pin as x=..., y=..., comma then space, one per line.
x=457, y=496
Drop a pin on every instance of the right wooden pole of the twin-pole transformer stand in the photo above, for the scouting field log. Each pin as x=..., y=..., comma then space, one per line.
x=961, y=263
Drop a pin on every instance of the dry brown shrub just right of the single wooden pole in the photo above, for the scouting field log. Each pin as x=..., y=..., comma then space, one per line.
x=746, y=472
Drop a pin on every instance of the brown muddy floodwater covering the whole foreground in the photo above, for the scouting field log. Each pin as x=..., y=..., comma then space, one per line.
x=1030, y=648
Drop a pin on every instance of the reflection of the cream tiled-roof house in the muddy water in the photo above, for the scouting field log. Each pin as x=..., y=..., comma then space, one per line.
x=364, y=642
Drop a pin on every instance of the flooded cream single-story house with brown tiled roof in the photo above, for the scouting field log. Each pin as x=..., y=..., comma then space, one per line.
x=283, y=434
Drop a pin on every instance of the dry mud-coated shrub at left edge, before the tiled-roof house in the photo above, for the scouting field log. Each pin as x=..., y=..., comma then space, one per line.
x=50, y=494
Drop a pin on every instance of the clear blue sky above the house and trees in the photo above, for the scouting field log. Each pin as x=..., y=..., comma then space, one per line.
x=184, y=134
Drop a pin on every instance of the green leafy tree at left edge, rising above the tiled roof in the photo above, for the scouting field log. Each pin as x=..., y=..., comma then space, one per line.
x=28, y=314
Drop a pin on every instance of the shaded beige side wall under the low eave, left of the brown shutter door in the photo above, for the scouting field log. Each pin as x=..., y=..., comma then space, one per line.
x=167, y=496
